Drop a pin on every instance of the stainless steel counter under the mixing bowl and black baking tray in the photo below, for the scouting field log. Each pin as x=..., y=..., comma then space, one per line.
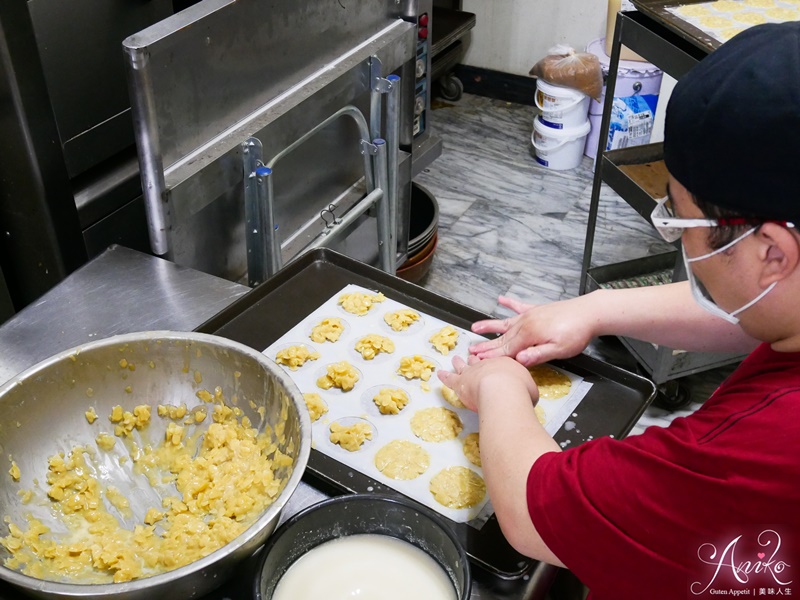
x=122, y=291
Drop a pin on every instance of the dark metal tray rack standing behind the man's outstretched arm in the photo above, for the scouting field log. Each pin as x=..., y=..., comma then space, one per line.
x=675, y=52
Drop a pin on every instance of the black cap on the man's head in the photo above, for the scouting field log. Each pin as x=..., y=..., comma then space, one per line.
x=732, y=129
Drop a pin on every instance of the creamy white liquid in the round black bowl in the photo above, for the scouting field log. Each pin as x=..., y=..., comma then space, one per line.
x=365, y=567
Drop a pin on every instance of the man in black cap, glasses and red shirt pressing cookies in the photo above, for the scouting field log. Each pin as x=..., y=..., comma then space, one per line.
x=710, y=505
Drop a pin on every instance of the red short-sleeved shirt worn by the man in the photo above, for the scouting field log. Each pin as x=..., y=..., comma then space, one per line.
x=641, y=517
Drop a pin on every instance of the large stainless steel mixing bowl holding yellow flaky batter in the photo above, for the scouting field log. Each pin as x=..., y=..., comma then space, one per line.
x=42, y=413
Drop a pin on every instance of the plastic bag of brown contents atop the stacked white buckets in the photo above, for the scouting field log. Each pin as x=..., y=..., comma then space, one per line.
x=578, y=70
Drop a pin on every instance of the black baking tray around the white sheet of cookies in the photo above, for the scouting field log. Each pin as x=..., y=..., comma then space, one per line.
x=612, y=407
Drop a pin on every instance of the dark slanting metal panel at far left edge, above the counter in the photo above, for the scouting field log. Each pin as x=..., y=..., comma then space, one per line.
x=40, y=242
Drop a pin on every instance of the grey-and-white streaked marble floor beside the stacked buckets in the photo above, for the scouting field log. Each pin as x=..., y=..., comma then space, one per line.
x=510, y=226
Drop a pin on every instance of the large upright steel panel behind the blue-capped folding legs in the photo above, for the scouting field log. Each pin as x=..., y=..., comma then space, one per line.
x=209, y=78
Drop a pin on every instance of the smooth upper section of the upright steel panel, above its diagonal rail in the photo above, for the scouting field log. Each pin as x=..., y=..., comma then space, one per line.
x=246, y=56
